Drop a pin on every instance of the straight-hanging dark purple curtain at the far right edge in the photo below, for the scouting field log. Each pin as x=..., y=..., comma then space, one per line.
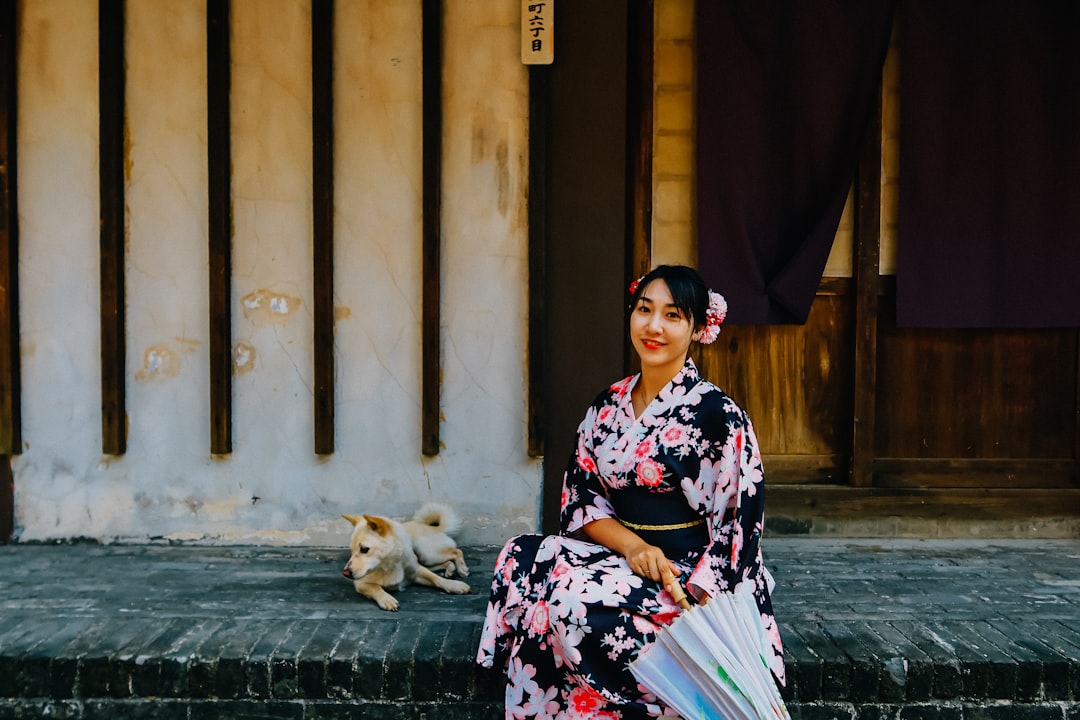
x=990, y=168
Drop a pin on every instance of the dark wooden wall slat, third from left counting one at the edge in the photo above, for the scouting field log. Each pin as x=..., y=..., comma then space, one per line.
x=219, y=152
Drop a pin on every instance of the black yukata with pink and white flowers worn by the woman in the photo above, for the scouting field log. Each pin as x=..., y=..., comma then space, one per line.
x=568, y=616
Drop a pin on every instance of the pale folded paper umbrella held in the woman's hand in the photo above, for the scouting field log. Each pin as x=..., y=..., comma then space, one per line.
x=711, y=662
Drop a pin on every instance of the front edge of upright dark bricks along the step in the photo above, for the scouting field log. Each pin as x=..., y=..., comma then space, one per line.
x=305, y=664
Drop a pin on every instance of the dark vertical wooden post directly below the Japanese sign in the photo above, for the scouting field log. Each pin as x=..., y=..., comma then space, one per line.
x=539, y=85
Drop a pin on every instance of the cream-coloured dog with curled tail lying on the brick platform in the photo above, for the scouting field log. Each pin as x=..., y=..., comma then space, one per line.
x=387, y=554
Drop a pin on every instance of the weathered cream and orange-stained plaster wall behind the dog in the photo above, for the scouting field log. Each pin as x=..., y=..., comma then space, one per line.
x=273, y=488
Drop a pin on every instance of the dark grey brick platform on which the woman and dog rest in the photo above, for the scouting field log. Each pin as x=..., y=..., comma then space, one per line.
x=874, y=629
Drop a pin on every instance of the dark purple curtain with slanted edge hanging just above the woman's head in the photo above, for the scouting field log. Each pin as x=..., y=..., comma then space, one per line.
x=785, y=94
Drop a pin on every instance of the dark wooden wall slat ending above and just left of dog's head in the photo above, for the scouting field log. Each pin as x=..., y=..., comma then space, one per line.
x=322, y=166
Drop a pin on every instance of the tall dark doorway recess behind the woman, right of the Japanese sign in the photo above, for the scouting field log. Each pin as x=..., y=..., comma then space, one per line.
x=587, y=224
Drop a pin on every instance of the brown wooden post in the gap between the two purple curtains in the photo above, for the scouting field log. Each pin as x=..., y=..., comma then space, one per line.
x=868, y=294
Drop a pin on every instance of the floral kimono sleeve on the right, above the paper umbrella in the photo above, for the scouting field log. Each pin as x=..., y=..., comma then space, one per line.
x=733, y=488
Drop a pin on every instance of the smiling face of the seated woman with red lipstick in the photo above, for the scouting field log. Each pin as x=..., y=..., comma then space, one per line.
x=659, y=331
